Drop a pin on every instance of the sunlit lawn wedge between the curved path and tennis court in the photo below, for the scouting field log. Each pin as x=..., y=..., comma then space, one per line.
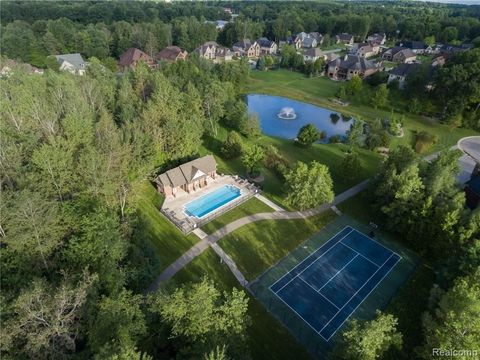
x=257, y=246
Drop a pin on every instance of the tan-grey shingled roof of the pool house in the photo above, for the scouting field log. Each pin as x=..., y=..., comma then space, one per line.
x=184, y=173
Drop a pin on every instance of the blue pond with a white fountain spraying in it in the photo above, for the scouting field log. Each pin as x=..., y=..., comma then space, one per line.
x=283, y=117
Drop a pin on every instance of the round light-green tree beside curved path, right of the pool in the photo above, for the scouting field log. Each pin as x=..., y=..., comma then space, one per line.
x=309, y=185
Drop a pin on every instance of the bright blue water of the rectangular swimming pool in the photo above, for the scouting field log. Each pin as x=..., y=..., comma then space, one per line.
x=212, y=201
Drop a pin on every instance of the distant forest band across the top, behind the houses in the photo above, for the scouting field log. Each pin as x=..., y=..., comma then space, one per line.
x=31, y=31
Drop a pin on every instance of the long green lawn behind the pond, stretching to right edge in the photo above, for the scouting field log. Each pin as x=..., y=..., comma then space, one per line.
x=321, y=90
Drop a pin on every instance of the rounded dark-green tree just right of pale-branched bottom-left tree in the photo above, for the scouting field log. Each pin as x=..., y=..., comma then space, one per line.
x=119, y=319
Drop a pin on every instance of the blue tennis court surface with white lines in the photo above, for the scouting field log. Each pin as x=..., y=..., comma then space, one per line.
x=329, y=284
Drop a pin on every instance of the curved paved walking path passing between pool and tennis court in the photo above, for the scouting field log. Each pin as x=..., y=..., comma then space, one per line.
x=203, y=244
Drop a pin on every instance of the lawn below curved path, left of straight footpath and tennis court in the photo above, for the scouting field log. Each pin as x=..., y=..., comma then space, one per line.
x=268, y=339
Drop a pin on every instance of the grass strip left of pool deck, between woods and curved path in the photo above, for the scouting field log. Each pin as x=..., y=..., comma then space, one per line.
x=167, y=240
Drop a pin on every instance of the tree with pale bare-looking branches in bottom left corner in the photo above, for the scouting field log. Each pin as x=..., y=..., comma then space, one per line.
x=46, y=320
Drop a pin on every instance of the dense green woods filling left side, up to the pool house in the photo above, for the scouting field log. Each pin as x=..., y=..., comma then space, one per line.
x=74, y=266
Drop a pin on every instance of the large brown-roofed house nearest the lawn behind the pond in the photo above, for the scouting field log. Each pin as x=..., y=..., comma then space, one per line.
x=350, y=65
